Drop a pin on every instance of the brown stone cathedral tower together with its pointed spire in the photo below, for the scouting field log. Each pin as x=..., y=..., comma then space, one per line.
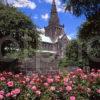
x=54, y=29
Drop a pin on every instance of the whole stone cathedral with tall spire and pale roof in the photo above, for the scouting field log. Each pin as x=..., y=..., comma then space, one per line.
x=52, y=46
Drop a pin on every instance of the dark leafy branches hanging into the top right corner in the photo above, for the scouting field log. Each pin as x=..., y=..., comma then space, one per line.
x=83, y=7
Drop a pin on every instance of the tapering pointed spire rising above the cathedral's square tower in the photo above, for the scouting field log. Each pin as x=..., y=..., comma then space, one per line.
x=54, y=20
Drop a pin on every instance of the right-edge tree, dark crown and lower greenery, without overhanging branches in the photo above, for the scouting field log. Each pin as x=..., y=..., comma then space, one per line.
x=89, y=34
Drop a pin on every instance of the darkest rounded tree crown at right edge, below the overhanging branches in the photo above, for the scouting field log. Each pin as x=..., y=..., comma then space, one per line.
x=90, y=28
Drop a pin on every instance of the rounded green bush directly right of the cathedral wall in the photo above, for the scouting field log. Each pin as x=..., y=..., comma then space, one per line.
x=75, y=55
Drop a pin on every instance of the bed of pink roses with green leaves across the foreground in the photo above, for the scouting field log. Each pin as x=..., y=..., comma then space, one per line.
x=76, y=85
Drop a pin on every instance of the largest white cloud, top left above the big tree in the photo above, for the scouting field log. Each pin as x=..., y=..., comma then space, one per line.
x=22, y=3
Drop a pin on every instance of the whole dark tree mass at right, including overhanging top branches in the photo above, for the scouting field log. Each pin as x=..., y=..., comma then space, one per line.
x=90, y=30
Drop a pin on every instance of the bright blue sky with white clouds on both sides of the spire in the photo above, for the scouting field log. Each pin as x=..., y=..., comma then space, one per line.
x=39, y=12
